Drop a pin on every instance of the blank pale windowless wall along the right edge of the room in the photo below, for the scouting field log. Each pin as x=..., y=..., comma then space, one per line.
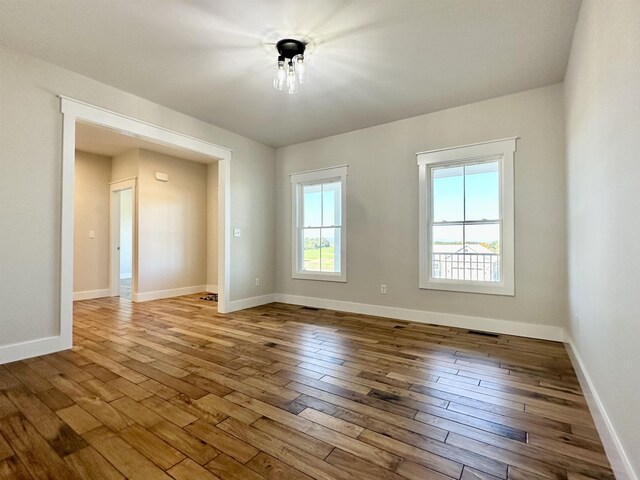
x=602, y=95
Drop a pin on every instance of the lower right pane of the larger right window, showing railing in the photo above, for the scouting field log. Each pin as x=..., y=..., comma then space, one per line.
x=482, y=252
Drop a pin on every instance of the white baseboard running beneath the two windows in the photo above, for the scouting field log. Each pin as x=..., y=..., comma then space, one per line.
x=509, y=327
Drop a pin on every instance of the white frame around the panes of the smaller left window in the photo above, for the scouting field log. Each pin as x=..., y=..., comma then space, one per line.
x=314, y=177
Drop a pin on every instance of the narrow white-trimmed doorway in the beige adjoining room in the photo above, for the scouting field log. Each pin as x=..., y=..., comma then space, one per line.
x=122, y=207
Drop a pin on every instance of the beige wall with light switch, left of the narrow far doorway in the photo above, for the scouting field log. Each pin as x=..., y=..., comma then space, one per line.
x=91, y=204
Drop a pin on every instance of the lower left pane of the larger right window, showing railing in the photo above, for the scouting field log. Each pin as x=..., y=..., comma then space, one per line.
x=447, y=252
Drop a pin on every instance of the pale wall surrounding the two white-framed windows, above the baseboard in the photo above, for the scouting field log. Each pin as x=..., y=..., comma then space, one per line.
x=382, y=208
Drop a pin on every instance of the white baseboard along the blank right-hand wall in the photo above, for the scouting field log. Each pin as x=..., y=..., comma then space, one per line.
x=615, y=451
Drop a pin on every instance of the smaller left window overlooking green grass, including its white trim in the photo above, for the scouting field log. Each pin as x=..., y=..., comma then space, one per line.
x=319, y=224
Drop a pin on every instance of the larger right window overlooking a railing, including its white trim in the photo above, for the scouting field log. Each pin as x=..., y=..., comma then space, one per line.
x=466, y=218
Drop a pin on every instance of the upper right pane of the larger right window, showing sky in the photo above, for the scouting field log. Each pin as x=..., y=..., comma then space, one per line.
x=482, y=191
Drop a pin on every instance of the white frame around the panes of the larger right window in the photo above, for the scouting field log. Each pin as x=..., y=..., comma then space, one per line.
x=502, y=151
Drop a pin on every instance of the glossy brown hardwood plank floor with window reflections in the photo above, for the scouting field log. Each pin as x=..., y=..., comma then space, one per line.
x=170, y=389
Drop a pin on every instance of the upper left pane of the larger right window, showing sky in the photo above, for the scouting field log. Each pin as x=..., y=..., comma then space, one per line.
x=448, y=198
